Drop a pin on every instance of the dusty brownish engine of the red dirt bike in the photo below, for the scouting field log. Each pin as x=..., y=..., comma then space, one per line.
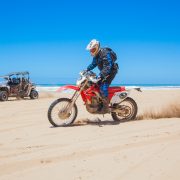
x=94, y=106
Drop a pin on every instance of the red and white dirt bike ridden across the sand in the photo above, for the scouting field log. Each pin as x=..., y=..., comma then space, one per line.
x=63, y=111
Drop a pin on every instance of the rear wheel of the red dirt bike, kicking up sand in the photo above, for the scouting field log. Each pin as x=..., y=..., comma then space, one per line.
x=126, y=110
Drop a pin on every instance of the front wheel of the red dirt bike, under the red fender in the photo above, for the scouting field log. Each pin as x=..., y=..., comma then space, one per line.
x=57, y=113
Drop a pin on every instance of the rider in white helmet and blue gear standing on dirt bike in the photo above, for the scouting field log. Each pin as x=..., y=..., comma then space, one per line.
x=108, y=68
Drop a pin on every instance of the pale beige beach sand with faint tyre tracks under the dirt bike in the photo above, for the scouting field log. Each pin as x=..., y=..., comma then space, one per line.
x=30, y=148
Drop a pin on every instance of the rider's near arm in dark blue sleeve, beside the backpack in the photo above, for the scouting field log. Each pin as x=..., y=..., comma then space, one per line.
x=107, y=65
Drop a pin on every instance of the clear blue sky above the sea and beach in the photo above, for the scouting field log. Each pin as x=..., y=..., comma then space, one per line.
x=48, y=38
